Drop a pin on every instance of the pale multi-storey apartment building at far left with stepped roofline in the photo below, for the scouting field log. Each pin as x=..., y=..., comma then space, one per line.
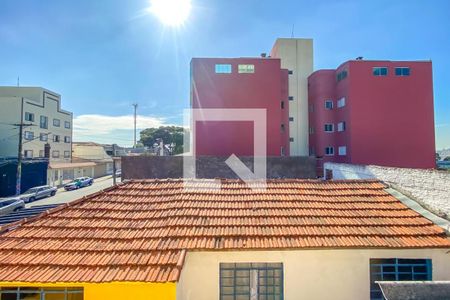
x=48, y=124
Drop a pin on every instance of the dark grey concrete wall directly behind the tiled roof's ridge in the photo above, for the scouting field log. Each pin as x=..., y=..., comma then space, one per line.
x=140, y=167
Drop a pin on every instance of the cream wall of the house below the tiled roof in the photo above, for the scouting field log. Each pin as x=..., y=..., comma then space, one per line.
x=308, y=274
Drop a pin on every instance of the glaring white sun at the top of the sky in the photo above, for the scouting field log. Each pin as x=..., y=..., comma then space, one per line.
x=171, y=12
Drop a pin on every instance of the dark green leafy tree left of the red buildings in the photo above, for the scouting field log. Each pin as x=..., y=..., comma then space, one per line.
x=169, y=134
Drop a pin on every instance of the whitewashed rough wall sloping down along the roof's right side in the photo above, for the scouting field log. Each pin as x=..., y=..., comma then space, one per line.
x=431, y=188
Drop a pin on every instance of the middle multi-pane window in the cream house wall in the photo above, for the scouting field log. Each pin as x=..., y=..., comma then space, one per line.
x=251, y=281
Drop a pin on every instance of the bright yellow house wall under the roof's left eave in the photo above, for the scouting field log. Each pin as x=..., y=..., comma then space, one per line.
x=113, y=290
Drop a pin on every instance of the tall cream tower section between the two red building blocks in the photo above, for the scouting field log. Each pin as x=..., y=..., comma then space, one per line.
x=297, y=56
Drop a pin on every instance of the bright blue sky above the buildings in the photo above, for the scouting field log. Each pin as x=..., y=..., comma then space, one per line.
x=101, y=56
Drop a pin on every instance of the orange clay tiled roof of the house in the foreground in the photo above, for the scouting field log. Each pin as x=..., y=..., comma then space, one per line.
x=141, y=230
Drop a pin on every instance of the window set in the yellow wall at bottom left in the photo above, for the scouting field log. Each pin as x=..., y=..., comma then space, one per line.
x=41, y=293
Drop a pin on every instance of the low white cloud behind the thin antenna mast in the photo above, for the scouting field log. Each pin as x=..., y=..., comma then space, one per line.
x=112, y=129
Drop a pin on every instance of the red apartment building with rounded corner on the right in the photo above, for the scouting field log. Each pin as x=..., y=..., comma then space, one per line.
x=373, y=112
